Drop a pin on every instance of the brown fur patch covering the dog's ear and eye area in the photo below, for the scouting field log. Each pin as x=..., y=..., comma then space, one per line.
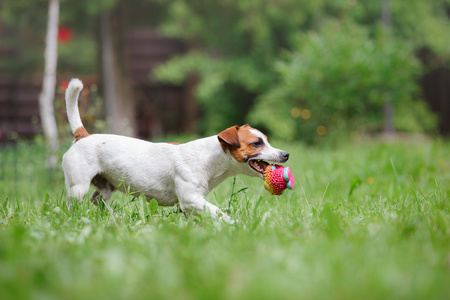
x=239, y=141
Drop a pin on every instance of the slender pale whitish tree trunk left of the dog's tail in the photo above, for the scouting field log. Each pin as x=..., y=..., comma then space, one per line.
x=47, y=95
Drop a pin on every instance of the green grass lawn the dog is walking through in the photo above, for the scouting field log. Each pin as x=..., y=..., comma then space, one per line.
x=365, y=221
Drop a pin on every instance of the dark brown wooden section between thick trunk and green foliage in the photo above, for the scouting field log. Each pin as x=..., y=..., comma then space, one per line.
x=161, y=108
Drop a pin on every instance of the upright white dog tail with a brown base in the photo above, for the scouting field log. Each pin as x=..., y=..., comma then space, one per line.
x=73, y=114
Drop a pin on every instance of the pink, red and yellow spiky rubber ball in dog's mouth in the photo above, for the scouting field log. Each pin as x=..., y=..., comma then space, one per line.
x=278, y=178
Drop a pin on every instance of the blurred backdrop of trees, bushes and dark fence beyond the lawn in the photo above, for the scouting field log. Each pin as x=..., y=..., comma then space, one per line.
x=310, y=71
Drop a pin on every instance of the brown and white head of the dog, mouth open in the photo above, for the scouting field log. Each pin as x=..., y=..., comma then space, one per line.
x=248, y=145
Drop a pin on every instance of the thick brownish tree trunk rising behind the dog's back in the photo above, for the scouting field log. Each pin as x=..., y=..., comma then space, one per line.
x=117, y=90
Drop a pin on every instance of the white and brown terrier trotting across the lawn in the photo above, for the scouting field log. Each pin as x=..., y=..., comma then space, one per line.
x=169, y=172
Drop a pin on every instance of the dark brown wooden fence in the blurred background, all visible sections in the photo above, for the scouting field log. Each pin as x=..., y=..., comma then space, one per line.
x=164, y=108
